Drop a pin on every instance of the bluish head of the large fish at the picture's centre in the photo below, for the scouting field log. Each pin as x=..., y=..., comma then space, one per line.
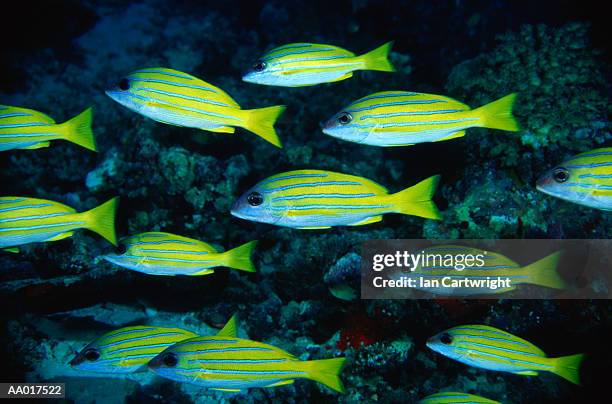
x=256, y=205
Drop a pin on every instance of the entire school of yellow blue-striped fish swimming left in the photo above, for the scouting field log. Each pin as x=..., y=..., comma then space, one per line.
x=301, y=199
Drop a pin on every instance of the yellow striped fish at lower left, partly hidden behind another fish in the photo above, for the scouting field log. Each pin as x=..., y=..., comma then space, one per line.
x=129, y=349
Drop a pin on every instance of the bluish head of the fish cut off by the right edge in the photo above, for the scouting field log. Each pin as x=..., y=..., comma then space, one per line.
x=560, y=182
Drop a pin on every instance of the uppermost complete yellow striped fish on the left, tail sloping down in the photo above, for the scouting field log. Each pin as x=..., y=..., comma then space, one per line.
x=180, y=99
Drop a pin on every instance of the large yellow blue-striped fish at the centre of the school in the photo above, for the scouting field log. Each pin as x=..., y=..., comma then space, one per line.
x=317, y=199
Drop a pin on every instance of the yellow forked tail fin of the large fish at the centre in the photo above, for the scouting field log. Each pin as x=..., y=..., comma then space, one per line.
x=416, y=200
